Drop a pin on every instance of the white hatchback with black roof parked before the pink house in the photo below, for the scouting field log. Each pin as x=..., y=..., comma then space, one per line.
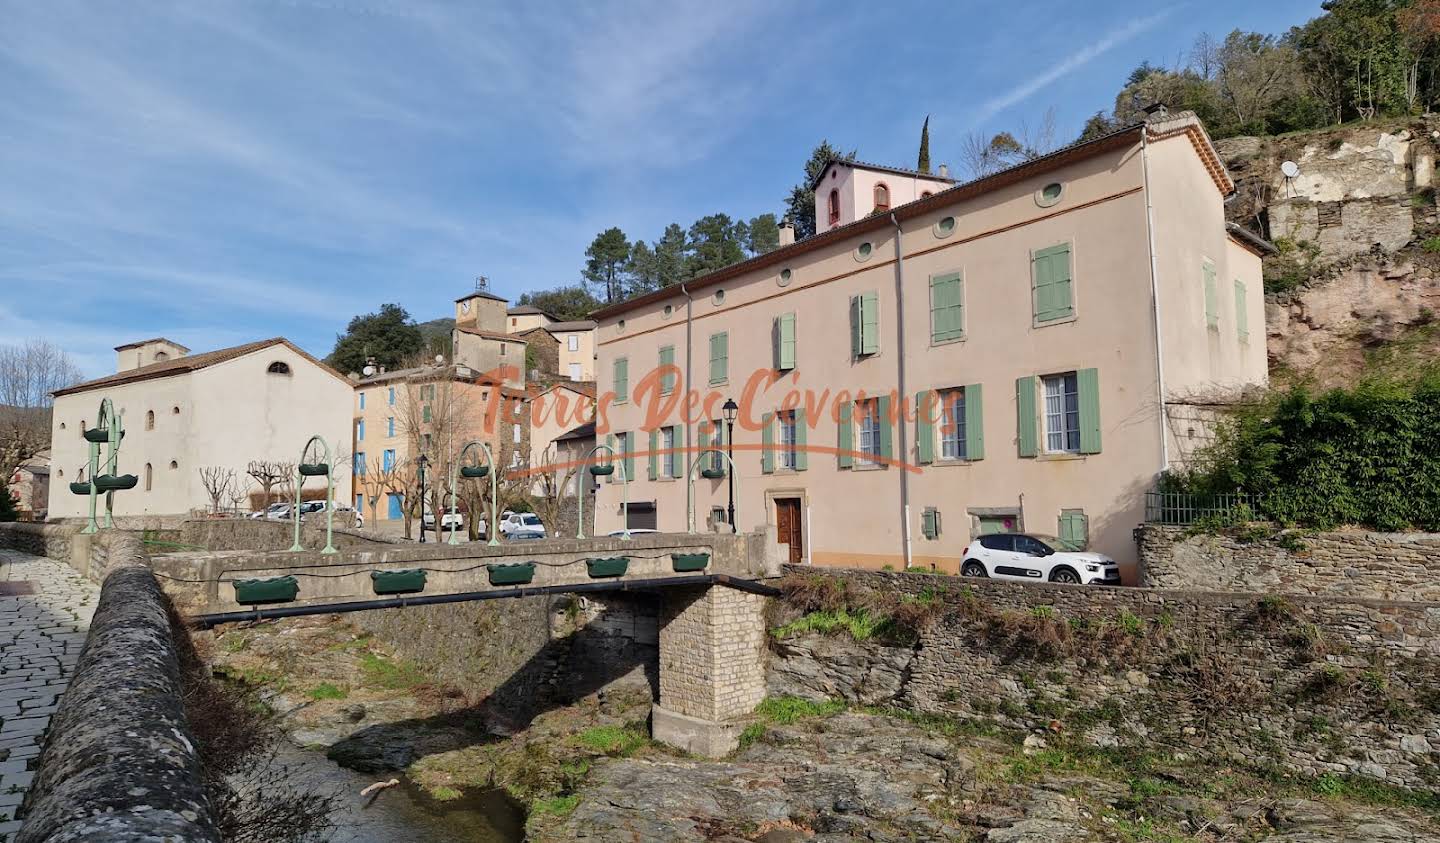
x=1038, y=558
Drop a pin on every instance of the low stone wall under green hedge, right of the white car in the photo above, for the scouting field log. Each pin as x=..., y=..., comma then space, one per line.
x=1402, y=567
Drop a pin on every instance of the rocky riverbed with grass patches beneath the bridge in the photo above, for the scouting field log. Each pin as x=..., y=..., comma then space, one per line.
x=809, y=772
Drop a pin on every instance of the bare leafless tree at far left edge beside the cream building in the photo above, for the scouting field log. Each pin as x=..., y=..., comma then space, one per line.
x=30, y=374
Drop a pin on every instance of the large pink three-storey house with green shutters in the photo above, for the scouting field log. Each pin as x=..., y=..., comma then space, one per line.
x=1043, y=321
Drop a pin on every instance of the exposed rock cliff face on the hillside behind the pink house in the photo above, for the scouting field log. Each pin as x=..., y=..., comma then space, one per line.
x=1356, y=286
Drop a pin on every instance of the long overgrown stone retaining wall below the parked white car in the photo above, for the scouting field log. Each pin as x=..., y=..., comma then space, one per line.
x=1311, y=685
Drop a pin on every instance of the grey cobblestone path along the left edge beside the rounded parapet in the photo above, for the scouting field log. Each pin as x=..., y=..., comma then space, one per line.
x=41, y=639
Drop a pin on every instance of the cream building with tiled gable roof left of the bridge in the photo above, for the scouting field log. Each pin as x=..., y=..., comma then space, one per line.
x=185, y=413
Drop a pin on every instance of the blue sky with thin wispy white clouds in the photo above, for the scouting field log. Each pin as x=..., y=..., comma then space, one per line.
x=225, y=171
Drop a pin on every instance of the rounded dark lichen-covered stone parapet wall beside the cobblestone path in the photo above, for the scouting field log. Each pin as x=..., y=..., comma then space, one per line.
x=120, y=762
